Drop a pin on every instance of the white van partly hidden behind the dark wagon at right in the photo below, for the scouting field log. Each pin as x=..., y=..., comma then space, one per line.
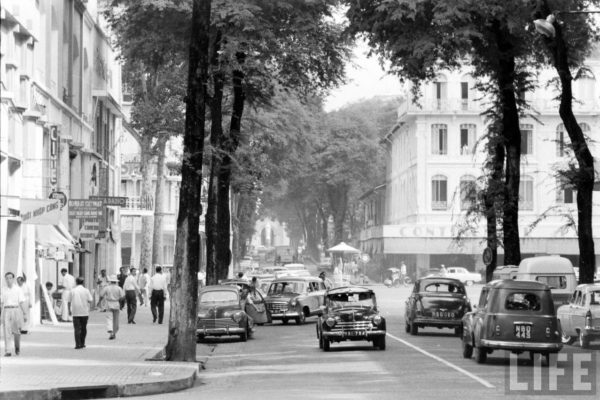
x=555, y=271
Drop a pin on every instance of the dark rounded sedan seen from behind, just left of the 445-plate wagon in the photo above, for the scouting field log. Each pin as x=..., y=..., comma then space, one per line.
x=436, y=301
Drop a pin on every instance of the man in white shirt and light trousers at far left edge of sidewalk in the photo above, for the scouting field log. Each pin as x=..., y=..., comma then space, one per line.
x=12, y=303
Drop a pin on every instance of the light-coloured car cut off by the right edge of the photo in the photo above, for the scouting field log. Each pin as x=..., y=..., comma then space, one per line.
x=581, y=317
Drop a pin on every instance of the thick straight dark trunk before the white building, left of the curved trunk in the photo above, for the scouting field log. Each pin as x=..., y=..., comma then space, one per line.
x=512, y=138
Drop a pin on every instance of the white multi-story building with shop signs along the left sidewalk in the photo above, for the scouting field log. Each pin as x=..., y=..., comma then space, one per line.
x=60, y=134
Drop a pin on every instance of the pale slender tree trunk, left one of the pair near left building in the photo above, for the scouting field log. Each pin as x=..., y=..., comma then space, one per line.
x=146, y=200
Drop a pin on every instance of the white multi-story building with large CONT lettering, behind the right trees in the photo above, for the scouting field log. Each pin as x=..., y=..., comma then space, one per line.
x=435, y=155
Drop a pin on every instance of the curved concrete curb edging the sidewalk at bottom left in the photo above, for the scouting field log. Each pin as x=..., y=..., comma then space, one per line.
x=106, y=391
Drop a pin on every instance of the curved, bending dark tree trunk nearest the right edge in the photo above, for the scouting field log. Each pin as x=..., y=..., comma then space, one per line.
x=584, y=179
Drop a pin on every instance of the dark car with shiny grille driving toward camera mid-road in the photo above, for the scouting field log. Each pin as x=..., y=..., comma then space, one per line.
x=350, y=313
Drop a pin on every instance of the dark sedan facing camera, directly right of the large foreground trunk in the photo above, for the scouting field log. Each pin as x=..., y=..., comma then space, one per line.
x=220, y=313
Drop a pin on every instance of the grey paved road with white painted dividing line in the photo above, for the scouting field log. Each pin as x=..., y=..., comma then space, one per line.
x=284, y=362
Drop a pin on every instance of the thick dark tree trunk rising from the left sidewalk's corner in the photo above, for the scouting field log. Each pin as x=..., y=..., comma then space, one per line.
x=184, y=281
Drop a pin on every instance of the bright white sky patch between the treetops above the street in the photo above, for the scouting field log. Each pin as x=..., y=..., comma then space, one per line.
x=365, y=79
